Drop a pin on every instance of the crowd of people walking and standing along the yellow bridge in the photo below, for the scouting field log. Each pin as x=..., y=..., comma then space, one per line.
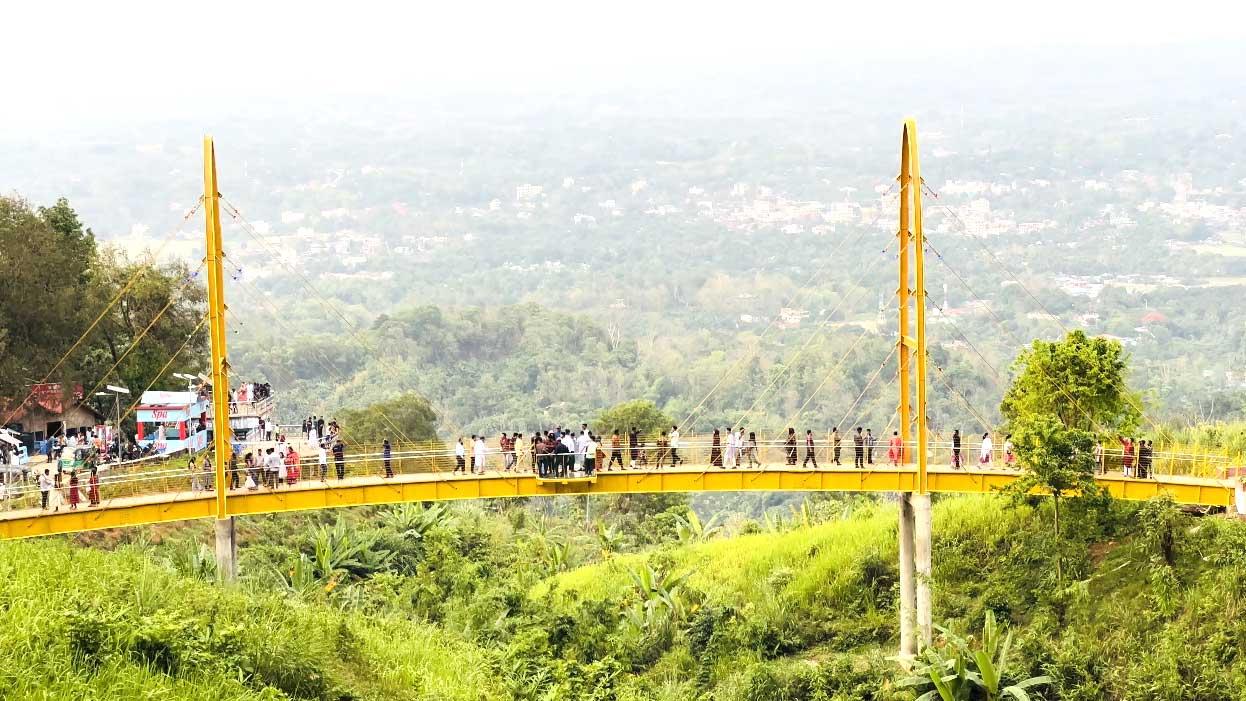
x=566, y=453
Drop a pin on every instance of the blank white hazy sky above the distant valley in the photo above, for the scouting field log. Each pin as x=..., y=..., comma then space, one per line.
x=55, y=49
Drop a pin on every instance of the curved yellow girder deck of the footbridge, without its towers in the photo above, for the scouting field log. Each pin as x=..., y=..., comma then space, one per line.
x=440, y=486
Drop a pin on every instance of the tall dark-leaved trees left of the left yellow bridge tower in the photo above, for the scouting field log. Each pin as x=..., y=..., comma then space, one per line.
x=58, y=285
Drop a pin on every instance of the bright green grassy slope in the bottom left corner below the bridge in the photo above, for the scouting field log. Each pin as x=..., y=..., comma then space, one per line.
x=87, y=624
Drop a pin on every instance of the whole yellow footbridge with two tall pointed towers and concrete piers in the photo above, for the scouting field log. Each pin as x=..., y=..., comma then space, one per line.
x=920, y=466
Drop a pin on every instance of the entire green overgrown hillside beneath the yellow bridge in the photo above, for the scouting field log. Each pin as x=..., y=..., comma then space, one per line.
x=523, y=601
